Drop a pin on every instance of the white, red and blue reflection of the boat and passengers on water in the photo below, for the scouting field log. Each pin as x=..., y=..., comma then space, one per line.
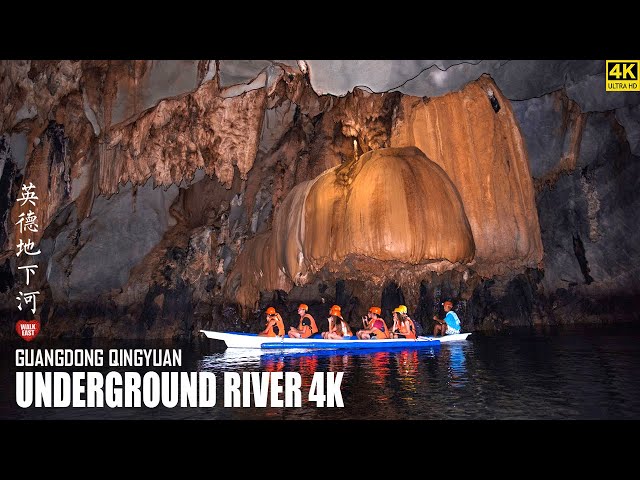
x=380, y=383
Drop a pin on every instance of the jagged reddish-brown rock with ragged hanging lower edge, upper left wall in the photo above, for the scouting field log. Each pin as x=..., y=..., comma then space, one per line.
x=168, y=144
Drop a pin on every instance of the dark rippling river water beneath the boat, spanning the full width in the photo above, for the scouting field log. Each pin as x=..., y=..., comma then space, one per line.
x=591, y=373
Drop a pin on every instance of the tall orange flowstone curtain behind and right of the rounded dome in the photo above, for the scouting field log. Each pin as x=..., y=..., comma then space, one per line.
x=483, y=152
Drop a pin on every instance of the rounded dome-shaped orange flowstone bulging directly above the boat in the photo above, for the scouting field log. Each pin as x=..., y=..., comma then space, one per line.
x=391, y=208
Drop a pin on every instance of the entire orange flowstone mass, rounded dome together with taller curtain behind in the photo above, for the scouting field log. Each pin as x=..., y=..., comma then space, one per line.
x=466, y=202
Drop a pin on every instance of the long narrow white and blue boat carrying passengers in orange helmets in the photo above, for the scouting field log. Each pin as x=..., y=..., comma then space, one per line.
x=252, y=340
